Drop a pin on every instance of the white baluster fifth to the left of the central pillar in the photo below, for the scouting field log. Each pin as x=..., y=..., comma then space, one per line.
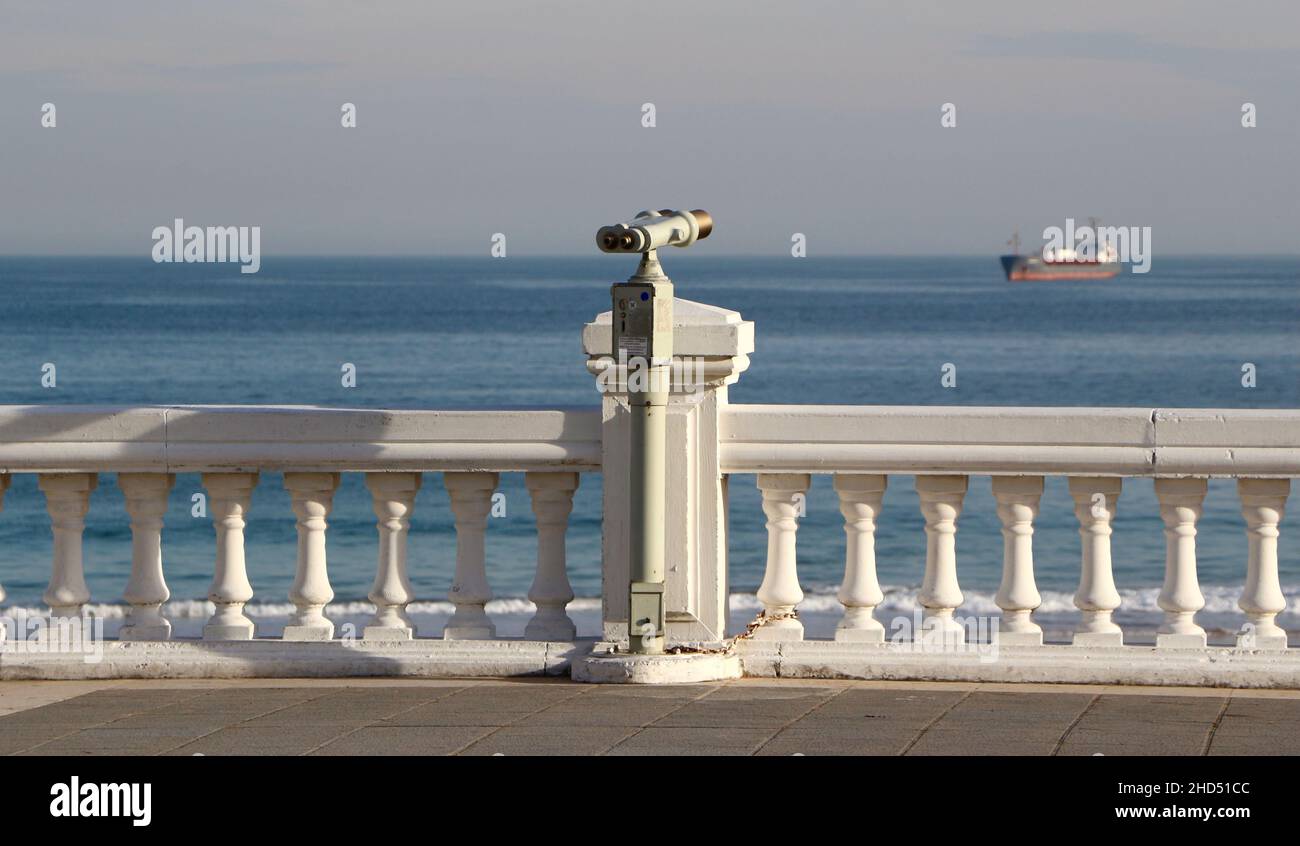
x=228, y=502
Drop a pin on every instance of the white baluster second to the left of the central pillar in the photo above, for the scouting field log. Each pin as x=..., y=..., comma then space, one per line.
x=471, y=501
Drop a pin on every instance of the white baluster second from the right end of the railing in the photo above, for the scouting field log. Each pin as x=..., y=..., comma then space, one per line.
x=1181, y=596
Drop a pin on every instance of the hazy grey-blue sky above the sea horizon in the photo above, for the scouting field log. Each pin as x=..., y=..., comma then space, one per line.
x=526, y=119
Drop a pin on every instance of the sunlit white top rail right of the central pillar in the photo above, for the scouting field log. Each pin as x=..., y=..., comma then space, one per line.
x=1011, y=441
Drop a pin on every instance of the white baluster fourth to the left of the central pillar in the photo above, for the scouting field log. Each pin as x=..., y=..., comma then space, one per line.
x=313, y=498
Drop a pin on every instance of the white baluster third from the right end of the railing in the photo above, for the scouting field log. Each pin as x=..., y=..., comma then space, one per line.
x=1095, y=500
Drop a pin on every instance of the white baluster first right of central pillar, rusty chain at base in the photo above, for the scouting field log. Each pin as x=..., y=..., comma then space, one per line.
x=785, y=496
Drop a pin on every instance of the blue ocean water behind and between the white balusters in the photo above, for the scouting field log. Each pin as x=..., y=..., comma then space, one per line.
x=492, y=333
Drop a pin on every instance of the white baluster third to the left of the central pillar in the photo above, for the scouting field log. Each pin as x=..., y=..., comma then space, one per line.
x=393, y=496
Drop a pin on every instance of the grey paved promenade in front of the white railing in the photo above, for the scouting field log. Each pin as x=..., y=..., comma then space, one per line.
x=554, y=717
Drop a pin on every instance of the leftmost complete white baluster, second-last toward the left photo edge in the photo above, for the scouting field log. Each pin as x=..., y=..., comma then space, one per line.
x=68, y=501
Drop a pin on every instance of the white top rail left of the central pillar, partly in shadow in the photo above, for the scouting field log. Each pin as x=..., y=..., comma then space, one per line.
x=244, y=439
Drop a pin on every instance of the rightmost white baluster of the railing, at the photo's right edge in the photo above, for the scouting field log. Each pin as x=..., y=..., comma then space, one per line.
x=1263, y=505
